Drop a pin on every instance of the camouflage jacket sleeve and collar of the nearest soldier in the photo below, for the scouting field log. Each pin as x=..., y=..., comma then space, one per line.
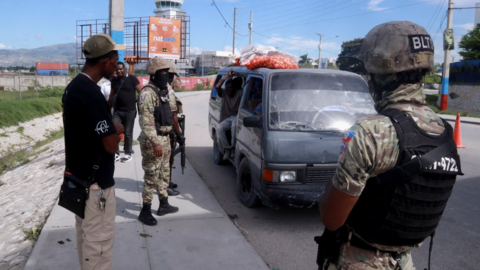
x=371, y=147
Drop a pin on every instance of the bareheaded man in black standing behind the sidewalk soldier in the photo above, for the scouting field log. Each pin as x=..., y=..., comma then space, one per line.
x=123, y=94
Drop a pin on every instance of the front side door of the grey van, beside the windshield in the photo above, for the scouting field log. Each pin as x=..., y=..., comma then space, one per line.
x=249, y=140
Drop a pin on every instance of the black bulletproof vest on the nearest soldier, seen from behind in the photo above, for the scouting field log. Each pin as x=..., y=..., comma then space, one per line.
x=404, y=205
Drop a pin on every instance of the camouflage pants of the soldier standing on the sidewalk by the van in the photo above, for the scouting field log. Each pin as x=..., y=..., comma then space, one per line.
x=157, y=169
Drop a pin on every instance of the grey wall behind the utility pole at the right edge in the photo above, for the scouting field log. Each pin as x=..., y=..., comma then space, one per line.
x=469, y=99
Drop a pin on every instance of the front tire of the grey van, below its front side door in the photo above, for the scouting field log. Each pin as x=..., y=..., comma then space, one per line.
x=245, y=187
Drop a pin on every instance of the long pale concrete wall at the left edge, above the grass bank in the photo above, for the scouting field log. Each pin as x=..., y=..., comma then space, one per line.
x=27, y=82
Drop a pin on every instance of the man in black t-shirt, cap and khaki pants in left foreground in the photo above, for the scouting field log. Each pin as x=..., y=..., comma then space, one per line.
x=90, y=138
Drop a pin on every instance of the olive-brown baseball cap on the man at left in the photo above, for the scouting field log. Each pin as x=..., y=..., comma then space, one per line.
x=99, y=45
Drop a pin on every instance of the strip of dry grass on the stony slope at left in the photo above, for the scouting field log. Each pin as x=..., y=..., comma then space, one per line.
x=19, y=158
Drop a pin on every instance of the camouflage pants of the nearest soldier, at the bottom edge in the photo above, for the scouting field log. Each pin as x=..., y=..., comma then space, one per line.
x=353, y=258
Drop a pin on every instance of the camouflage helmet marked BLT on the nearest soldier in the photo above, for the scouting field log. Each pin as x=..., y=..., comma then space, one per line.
x=397, y=46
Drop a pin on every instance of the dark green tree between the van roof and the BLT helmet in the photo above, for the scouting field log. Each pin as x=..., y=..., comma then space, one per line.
x=347, y=58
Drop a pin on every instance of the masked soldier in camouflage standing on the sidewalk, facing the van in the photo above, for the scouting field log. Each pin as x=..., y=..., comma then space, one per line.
x=155, y=121
